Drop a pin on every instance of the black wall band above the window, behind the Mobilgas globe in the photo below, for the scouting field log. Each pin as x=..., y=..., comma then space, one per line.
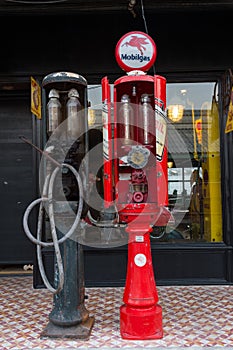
x=188, y=41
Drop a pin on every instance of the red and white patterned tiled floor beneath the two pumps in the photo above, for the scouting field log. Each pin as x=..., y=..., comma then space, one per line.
x=193, y=316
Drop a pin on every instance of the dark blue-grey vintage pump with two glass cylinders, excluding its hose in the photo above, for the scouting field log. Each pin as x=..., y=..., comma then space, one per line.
x=66, y=102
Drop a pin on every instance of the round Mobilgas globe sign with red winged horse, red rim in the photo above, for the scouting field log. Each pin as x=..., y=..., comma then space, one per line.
x=135, y=50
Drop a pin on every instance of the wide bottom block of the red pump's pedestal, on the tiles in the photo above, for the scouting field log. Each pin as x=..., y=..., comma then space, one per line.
x=141, y=323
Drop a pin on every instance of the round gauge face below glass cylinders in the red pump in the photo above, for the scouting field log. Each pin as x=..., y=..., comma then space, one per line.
x=138, y=157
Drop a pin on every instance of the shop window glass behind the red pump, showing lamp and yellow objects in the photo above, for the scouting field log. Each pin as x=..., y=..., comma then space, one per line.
x=194, y=176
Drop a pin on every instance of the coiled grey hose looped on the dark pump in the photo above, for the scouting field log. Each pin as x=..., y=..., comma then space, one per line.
x=47, y=196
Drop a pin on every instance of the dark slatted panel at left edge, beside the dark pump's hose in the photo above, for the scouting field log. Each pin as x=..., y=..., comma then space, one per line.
x=16, y=178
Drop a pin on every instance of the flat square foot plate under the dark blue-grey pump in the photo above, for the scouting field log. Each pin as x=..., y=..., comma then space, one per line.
x=79, y=331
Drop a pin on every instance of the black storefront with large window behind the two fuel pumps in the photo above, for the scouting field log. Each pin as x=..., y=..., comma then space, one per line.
x=194, y=55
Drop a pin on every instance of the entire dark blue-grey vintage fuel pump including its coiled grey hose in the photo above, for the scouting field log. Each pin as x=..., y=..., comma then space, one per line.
x=64, y=190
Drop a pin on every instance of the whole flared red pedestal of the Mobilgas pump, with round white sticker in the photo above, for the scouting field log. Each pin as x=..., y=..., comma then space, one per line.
x=140, y=315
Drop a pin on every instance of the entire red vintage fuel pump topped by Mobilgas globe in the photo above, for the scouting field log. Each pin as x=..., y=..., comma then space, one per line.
x=135, y=175
